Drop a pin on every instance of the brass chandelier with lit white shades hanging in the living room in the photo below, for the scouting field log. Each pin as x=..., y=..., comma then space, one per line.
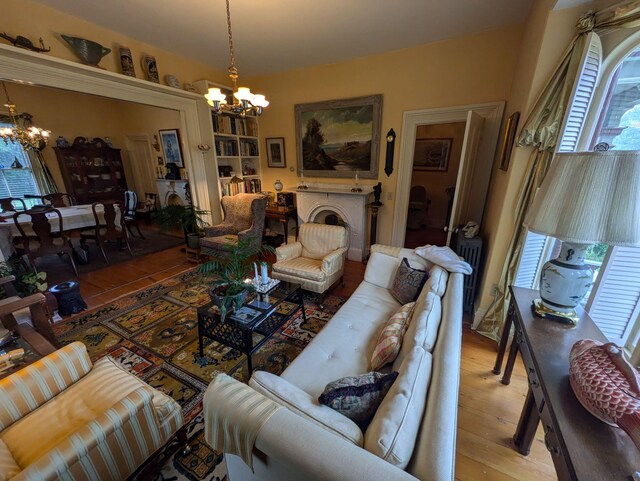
x=243, y=100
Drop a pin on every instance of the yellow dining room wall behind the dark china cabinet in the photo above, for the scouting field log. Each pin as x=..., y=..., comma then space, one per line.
x=71, y=114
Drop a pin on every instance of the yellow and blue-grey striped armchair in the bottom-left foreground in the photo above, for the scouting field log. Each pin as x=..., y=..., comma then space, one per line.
x=64, y=418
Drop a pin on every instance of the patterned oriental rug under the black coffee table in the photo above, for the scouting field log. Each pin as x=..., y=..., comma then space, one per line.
x=153, y=333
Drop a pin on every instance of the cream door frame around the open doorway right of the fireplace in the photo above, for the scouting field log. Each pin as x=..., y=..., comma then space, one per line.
x=481, y=171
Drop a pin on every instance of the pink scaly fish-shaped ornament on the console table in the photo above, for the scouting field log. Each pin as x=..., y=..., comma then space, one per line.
x=606, y=384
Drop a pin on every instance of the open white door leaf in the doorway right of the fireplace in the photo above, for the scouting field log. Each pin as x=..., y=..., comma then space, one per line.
x=460, y=205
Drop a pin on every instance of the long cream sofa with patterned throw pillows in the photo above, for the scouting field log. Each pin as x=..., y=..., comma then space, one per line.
x=412, y=435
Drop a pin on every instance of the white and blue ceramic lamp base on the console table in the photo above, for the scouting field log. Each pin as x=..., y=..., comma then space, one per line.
x=564, y=282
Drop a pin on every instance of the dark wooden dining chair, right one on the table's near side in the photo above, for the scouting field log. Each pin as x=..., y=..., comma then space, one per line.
x=112, y=227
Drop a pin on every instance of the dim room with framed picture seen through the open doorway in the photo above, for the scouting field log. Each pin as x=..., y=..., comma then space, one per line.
x=436, y=159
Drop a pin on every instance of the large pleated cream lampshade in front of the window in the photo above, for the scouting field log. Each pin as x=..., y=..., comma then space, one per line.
x=589, y=198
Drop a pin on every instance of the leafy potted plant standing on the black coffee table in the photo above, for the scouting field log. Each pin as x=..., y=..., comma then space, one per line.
x=233, y=267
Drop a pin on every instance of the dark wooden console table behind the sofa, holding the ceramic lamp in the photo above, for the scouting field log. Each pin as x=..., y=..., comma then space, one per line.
x=581, y=446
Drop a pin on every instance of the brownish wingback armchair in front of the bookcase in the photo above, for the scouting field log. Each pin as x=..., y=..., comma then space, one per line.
x=243, y=217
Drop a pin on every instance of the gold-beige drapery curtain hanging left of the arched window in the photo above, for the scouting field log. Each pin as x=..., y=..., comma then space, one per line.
x=541, y=131
